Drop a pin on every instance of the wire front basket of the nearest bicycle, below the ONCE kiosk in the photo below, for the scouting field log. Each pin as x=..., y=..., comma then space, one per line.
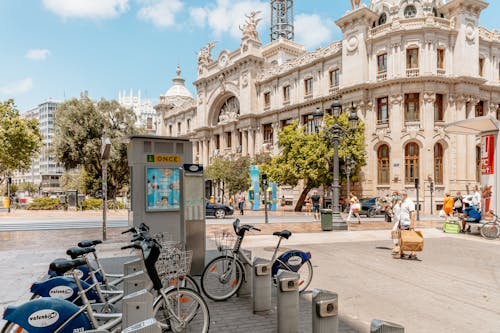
x=174, y=263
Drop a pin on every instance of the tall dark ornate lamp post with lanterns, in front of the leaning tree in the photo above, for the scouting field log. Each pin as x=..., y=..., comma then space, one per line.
x=334, y=134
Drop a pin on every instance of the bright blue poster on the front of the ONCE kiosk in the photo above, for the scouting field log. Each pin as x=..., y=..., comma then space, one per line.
x=162, y=187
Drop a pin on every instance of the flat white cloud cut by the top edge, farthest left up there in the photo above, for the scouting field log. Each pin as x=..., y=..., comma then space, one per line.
x=98, y=9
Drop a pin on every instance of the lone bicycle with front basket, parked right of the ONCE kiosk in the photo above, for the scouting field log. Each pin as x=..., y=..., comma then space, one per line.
x=223, y=276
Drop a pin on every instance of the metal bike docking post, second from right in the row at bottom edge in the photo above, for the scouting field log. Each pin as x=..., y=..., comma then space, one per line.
x=325, y=309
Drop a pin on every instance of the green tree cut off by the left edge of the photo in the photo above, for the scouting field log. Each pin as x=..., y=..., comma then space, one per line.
x=20, y=140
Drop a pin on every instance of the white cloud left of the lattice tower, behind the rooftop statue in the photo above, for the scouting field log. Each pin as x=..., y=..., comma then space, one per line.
x=226, y=16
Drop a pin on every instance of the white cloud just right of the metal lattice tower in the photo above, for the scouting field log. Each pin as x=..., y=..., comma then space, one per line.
x=311, y=31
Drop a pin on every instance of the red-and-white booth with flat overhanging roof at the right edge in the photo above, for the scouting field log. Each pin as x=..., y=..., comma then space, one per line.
x=487, y=128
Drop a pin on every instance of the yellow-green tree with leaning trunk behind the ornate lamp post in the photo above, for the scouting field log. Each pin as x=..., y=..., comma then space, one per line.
x=309, y=156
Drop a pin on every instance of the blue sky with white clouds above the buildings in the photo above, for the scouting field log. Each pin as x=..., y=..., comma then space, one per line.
x=58, y=48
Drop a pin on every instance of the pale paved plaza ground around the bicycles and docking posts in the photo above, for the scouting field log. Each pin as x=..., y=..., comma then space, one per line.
x=455, y=287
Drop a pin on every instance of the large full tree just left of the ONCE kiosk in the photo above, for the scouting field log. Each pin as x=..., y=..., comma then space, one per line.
x=80, y=125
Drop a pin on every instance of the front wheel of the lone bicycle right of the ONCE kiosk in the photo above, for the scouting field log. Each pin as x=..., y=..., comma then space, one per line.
x=222, y=278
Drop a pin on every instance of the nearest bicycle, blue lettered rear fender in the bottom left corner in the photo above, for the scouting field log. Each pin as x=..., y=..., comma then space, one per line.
x=54, y=315
